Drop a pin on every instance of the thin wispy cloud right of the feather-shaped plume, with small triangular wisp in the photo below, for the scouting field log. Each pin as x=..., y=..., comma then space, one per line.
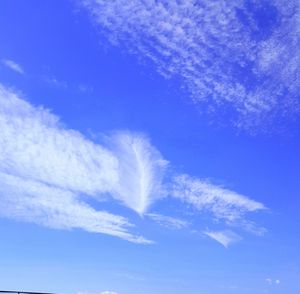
x=224, y=205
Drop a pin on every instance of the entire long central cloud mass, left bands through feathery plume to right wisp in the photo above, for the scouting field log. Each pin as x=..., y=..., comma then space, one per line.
x=48, y=174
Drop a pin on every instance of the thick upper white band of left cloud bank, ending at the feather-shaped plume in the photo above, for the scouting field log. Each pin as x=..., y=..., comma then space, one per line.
x=35, y=146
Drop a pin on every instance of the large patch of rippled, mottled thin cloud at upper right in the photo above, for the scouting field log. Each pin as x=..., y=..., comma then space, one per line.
x=240, y=55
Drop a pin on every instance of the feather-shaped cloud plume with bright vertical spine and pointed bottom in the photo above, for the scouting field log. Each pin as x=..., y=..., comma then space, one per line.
x=143, y=168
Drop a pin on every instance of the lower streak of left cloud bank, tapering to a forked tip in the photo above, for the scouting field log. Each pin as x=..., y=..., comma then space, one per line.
x=36, y=202
